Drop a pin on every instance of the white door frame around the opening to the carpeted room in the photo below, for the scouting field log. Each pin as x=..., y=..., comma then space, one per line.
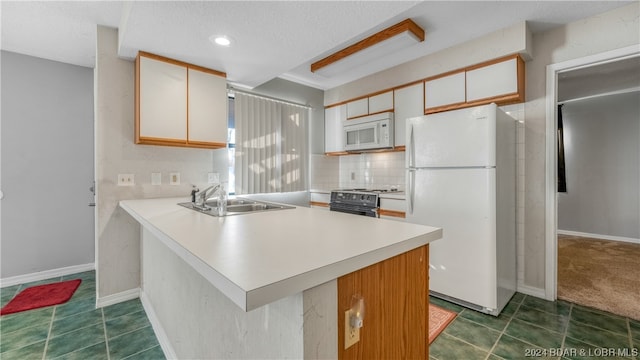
x=551, y=198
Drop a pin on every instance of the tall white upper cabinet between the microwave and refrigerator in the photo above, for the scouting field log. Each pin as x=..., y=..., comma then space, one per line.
x=409, y=102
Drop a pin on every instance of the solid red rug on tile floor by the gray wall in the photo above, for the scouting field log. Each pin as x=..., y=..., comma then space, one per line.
x=41, y=296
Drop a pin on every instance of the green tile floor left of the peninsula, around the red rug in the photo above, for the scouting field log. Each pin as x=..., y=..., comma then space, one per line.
x=76, y=329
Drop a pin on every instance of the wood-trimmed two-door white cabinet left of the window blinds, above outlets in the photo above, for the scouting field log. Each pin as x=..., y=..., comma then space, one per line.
x=179, y=104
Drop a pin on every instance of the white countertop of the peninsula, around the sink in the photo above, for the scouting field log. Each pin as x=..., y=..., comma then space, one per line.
x=258, y=258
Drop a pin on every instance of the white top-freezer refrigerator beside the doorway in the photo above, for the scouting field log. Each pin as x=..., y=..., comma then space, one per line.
x=461, y=177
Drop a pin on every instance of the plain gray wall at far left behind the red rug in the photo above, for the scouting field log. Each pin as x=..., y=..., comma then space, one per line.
x=47, y=165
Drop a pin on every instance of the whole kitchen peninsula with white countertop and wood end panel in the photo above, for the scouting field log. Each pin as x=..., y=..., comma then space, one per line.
x=276, y=284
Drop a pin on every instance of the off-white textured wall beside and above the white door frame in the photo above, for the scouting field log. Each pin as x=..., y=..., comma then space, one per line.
x=608, y=31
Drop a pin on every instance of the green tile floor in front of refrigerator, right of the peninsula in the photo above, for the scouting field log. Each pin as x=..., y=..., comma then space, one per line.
x=530, y=327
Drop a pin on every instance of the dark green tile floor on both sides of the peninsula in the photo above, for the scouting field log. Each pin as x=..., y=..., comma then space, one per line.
x=527, y=328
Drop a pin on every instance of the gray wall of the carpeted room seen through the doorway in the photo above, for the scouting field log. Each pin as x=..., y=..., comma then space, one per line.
x=602, y=156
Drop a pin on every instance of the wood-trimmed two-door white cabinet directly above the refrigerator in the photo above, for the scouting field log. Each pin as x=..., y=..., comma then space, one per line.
x=500, y=81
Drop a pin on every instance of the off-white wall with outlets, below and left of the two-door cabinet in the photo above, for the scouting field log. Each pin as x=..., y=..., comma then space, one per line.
x=117, y=234
